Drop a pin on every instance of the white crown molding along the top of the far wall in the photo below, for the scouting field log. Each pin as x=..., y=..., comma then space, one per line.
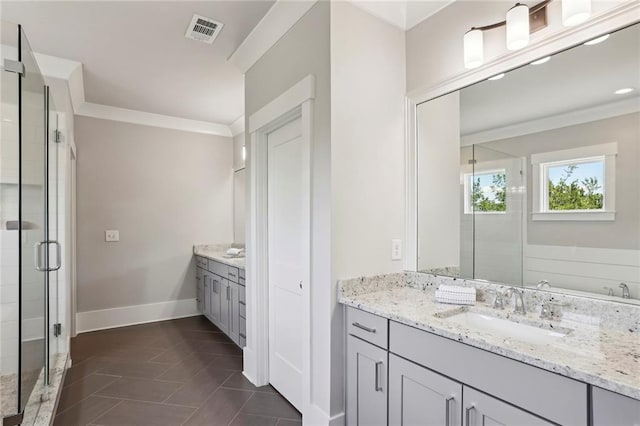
x=106, y=112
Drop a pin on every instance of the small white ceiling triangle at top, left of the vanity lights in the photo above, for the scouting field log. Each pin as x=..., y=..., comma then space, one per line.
x=404, y=14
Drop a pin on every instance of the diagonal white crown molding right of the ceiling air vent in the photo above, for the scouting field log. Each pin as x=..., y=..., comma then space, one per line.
x=279, y=19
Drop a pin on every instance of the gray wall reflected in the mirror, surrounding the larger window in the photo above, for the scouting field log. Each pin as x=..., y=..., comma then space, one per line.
x=624, y=232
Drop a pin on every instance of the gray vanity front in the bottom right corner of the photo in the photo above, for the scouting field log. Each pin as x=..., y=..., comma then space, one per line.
x=612, y=409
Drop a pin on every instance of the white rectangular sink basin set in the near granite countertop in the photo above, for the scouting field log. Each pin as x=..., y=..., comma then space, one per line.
x=508, y=329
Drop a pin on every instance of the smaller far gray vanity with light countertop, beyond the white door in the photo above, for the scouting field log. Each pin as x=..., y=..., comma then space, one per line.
x=220, y=285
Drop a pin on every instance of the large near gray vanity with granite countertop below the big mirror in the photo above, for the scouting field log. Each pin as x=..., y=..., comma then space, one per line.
x=412, y=361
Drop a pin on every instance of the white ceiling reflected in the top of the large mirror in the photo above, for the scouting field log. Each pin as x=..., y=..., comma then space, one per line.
x=579, y=79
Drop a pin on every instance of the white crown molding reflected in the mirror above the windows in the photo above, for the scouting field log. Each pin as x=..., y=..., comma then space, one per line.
x=572, y=118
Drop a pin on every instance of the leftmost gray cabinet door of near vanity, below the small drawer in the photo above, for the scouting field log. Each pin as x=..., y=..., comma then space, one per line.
x=366, y=383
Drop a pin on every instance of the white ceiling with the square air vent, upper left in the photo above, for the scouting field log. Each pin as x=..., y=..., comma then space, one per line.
x=135, y=55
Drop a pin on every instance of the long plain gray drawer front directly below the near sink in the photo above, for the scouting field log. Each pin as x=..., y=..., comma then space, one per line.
x=551, y=396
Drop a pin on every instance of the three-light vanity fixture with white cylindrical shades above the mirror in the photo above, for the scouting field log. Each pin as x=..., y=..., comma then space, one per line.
x=520, y=22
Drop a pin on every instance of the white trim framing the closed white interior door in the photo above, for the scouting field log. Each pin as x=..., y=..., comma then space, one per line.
x=295, y=102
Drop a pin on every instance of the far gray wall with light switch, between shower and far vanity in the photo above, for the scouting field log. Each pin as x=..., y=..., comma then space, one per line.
x=164, y=190
